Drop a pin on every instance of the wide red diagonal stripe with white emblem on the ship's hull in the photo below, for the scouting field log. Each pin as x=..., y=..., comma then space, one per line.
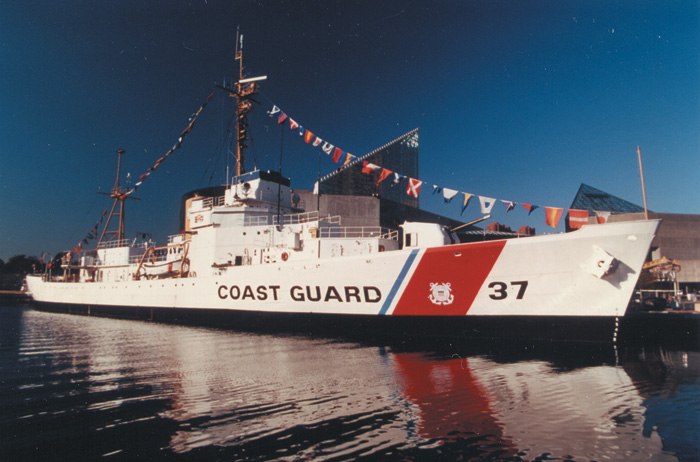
x=464, y=267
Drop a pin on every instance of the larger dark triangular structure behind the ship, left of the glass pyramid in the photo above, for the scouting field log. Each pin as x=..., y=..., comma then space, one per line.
x=400, y=156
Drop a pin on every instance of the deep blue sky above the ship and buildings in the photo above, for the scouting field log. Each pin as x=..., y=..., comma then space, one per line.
x=516, y=100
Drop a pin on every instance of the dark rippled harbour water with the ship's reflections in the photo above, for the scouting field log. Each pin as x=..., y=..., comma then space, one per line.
x=82, y=388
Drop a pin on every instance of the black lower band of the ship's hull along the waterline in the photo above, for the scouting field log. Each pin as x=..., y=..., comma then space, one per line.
x=534, y=329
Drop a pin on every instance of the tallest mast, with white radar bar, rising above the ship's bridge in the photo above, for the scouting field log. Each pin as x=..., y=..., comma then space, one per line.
x=244, y=91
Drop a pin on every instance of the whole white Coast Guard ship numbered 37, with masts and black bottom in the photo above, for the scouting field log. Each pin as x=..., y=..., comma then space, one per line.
x=252, y=257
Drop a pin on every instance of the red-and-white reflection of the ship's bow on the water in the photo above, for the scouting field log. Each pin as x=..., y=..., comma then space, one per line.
x=528, y=408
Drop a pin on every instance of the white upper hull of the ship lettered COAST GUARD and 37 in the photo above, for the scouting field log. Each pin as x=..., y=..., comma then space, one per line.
x=543, y=276
